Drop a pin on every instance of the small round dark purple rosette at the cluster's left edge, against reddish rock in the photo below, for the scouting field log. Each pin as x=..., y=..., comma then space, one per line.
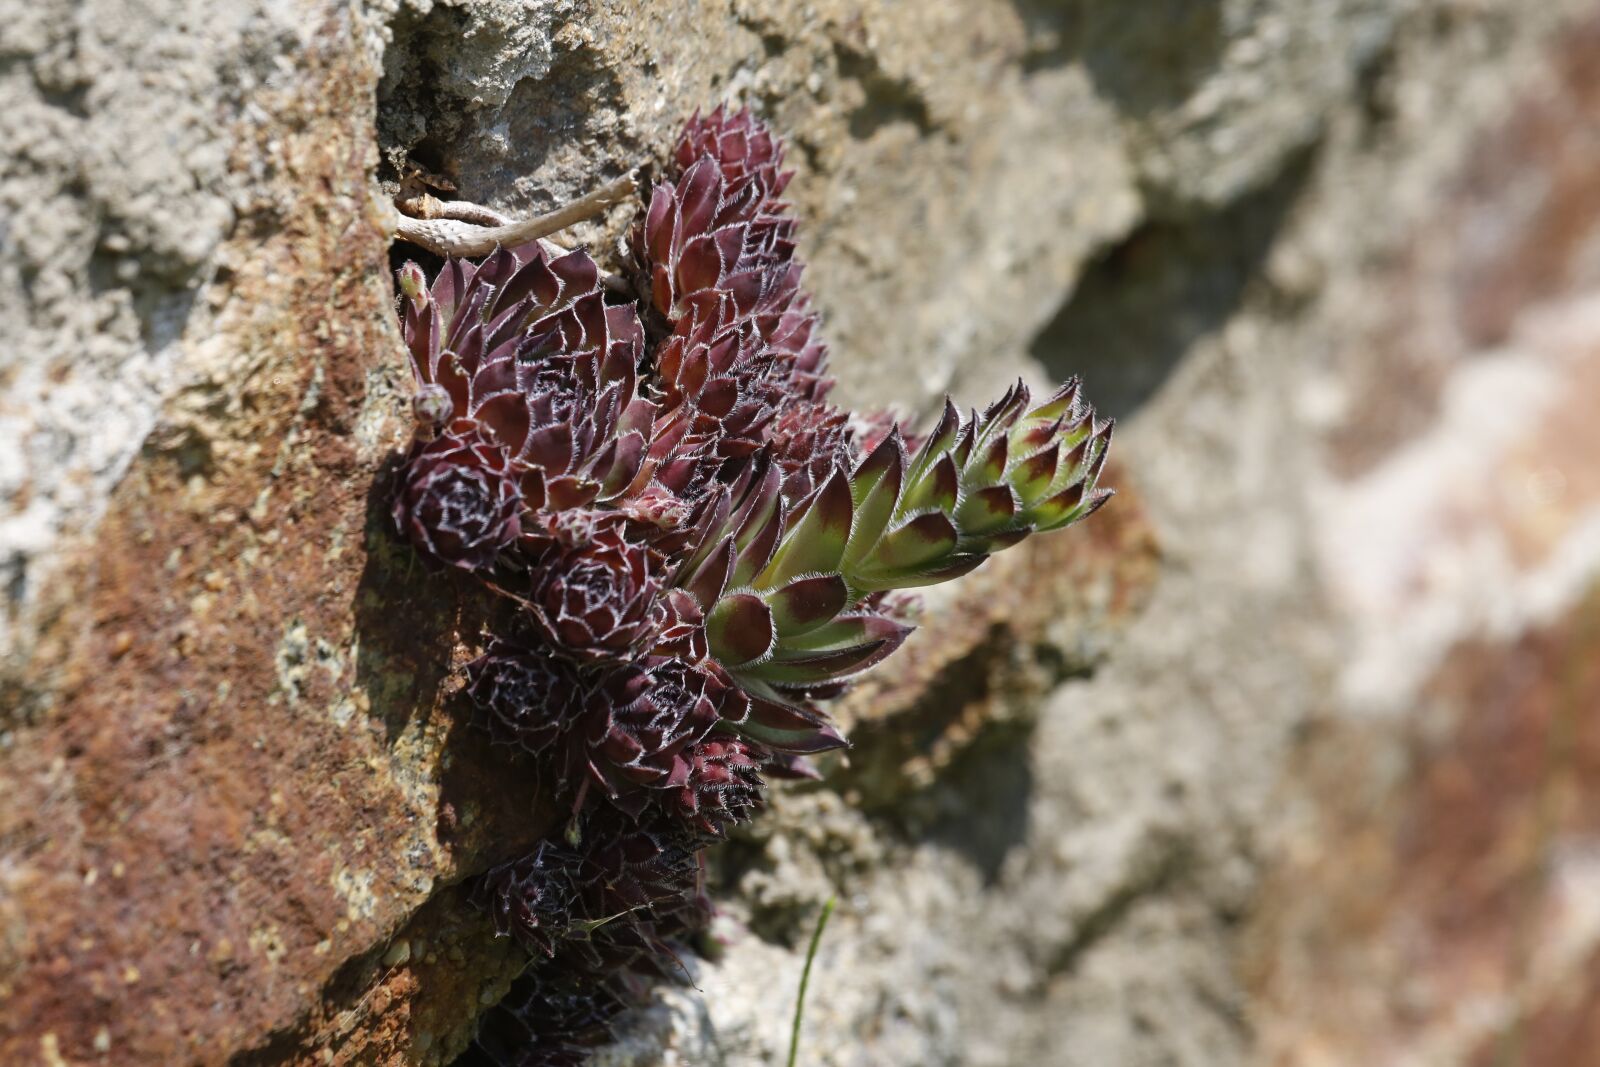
x=460, y=500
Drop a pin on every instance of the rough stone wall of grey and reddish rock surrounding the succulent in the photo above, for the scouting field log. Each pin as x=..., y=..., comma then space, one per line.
x=1287, y=757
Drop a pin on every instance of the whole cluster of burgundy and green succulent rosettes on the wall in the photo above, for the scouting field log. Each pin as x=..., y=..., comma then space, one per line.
x=697, y=545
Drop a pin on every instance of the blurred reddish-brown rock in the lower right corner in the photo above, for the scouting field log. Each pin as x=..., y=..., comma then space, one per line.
x=1450, y=919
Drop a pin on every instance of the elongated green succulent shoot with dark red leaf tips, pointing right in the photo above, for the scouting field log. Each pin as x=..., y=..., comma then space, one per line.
x=788, y=594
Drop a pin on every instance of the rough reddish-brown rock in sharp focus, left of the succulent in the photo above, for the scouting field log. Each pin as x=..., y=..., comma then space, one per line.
x=244, y=778
